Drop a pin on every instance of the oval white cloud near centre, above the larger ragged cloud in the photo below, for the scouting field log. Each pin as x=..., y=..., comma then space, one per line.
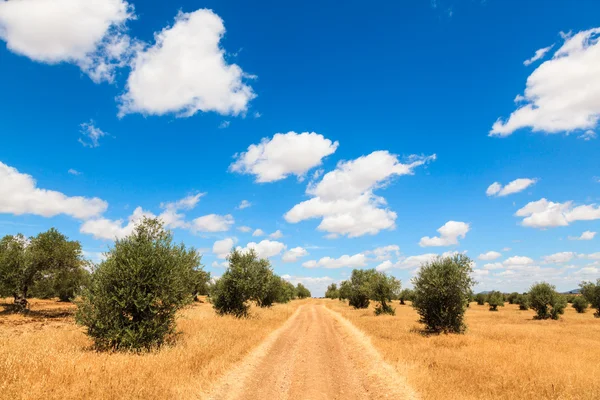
x=283, y=155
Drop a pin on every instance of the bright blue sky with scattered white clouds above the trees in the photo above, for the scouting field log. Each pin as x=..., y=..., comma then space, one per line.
x=353, y=132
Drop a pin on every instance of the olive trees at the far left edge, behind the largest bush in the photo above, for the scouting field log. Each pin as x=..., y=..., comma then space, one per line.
x=44, y=266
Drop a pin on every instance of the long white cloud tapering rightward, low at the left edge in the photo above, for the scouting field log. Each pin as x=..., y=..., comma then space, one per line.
x=19, y=195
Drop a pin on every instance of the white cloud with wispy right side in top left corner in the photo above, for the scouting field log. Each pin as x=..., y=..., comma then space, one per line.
x=90, y=34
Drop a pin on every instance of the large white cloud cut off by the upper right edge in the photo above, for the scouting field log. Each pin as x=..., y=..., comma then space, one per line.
x=563, y=93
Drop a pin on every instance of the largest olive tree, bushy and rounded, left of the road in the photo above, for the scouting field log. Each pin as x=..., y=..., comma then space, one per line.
x=135, y=293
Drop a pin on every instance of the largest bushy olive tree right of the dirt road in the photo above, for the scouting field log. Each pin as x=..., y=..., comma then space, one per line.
x=442, y=290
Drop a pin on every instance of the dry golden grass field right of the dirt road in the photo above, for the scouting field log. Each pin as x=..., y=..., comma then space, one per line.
x=503, y=355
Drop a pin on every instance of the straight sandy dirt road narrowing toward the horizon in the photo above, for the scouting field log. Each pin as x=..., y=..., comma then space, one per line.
x=316, y=354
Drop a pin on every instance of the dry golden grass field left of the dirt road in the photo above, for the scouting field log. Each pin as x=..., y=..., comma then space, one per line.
x=46, y=356
